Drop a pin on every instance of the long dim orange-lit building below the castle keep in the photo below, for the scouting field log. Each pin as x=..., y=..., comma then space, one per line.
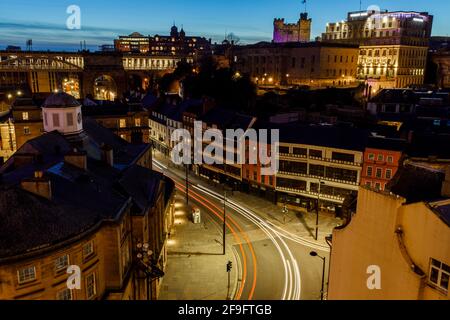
x=314, y=64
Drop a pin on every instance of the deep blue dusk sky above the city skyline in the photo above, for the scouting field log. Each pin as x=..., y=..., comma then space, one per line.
x=44, y=21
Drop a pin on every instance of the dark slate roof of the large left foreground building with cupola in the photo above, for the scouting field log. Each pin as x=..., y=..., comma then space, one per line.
x=81, y=200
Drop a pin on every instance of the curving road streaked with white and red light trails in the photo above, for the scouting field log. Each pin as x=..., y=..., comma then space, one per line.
x=274, y=264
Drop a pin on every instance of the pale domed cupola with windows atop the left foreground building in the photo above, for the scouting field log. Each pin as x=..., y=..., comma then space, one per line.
x=62, y=112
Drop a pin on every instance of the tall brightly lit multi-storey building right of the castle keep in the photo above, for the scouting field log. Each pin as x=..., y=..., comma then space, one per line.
x=393, y=46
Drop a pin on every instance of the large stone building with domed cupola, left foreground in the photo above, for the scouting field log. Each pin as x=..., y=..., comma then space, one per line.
x=80, y=196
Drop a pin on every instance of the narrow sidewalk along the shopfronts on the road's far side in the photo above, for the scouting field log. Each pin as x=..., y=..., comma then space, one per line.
x=300, y=223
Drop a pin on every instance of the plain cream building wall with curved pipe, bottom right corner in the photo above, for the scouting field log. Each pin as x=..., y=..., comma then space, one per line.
x=395, y=247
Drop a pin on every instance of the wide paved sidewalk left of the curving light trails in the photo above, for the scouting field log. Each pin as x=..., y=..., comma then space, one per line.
x=196, y=268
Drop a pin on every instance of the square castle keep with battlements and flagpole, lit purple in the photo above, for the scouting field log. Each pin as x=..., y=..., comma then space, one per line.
x=292, y=32
